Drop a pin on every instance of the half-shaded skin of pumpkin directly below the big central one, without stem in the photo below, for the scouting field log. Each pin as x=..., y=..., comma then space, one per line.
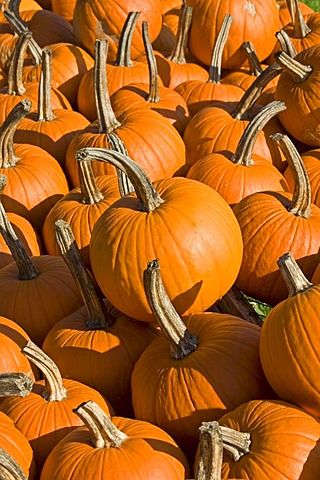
x=177, y=395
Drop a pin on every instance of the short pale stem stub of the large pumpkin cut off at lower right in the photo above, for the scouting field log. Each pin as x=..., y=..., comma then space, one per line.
x=293, y=275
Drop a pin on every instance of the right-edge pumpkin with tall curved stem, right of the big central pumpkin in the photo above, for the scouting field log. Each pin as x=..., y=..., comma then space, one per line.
x=260, y=215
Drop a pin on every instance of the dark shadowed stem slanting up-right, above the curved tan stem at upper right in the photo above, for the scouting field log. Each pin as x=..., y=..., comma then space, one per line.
x=242, y=110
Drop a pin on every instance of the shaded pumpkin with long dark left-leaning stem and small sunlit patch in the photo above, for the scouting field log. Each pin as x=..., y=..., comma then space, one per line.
x=107, y=347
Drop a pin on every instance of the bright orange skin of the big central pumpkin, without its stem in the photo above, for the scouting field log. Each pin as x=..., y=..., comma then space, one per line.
x=206, y=235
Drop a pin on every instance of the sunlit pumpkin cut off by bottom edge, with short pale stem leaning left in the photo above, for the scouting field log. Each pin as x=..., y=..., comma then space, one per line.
x=116, y=448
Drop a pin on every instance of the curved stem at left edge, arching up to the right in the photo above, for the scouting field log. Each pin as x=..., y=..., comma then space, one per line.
x=7, y=131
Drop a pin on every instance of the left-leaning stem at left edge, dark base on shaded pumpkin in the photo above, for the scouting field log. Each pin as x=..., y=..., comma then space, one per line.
x=27, y=271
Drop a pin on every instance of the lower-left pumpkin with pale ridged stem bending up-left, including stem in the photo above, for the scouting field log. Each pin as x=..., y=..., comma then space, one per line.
x=46, y=415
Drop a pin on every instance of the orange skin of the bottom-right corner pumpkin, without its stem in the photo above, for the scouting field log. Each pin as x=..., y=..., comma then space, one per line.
x=274, y=424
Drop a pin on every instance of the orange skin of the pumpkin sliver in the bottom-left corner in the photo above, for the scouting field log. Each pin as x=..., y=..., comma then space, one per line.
x=16, y=444
